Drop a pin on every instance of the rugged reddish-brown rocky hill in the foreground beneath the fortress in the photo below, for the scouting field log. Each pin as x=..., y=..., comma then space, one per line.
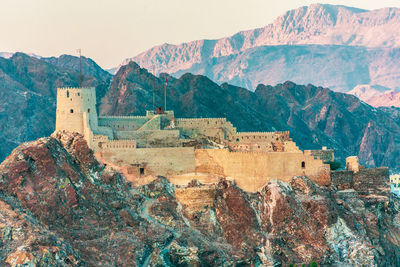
x=60, y=207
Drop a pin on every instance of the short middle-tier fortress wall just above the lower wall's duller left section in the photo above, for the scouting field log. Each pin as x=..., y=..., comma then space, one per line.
x=158, y=138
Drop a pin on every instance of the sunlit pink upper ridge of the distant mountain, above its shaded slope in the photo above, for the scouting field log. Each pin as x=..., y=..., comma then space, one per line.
x=299, y=26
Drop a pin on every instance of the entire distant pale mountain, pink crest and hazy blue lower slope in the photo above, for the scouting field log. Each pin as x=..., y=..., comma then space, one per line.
x=333, y=46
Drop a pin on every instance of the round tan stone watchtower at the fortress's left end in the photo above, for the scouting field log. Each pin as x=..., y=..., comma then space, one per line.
x=76, y=109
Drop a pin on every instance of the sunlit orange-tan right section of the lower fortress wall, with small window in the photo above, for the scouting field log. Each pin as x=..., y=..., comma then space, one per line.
x=252, y=170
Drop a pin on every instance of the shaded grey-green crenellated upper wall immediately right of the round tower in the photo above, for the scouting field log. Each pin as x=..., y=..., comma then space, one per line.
x=123, y=123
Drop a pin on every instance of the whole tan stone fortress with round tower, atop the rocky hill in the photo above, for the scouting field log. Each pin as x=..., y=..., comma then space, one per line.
x=186, y=149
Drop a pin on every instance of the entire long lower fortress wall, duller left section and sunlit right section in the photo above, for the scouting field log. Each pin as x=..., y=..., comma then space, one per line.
x=251, y=171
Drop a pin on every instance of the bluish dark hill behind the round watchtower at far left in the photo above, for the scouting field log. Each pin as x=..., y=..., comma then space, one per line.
x=28, y=94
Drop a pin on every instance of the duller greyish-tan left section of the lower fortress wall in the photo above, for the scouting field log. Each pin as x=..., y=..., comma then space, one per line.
x=156, y=161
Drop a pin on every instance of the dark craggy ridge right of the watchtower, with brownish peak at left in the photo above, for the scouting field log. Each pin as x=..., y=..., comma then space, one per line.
x=315, y=116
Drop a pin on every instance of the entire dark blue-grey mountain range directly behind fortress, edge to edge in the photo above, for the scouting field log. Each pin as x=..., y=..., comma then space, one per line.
x=315, y=116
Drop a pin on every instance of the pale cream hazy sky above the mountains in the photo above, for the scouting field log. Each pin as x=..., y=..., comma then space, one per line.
x=109, y=31
